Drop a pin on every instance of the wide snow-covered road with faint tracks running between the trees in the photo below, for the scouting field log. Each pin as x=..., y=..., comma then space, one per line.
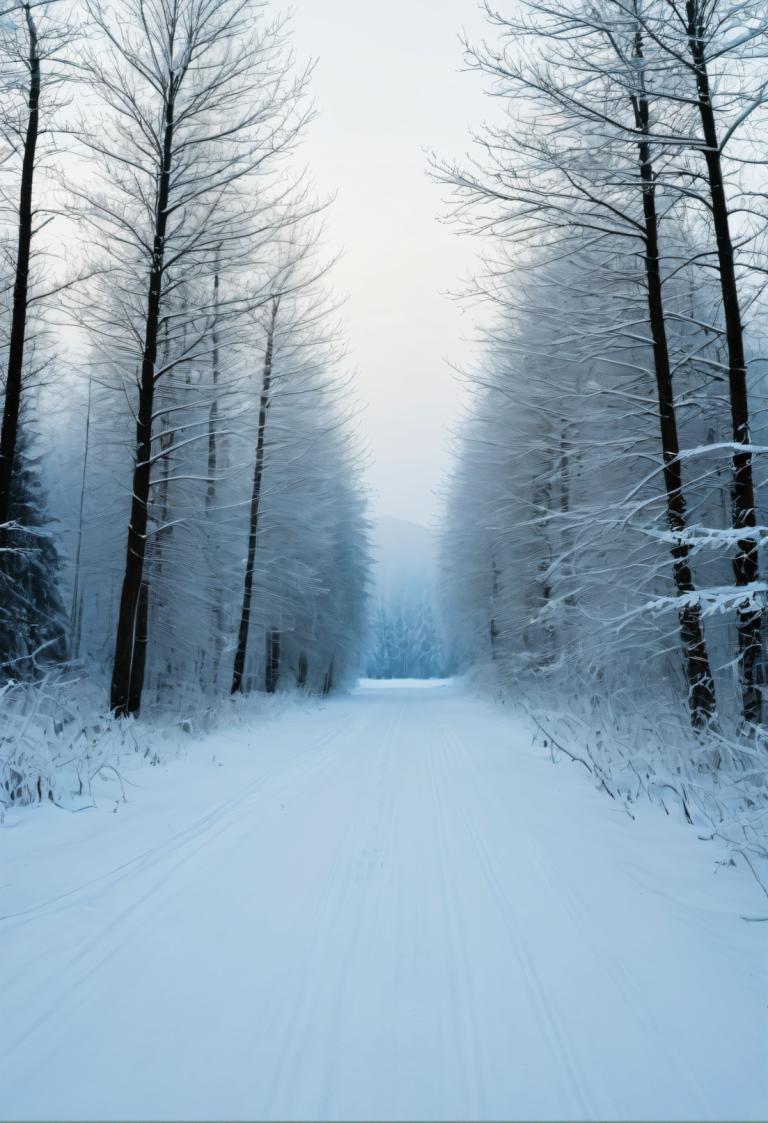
x=397, y=909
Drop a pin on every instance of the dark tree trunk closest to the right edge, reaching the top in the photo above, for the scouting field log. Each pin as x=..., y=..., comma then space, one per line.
x=743, y=490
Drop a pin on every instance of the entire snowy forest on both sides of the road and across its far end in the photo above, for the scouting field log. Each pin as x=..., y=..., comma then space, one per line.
x=182, y=472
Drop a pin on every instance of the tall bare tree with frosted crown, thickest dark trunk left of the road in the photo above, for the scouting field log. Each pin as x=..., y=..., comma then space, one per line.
x=200, y=101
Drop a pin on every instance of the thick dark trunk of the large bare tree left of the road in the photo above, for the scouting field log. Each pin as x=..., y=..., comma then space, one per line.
x=126, y=692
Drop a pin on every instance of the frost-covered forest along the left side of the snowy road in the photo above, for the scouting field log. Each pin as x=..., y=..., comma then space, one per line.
x=179, y=499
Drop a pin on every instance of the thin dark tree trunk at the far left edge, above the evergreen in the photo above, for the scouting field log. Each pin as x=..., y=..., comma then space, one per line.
x=19, y=327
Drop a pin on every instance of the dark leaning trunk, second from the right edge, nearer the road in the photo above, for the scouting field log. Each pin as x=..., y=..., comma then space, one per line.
x=699, y=674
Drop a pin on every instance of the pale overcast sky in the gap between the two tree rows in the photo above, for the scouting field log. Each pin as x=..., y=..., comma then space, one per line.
x=388, y=84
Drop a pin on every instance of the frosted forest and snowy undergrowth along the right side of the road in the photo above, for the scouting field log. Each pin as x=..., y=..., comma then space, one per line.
x=612, y=572
